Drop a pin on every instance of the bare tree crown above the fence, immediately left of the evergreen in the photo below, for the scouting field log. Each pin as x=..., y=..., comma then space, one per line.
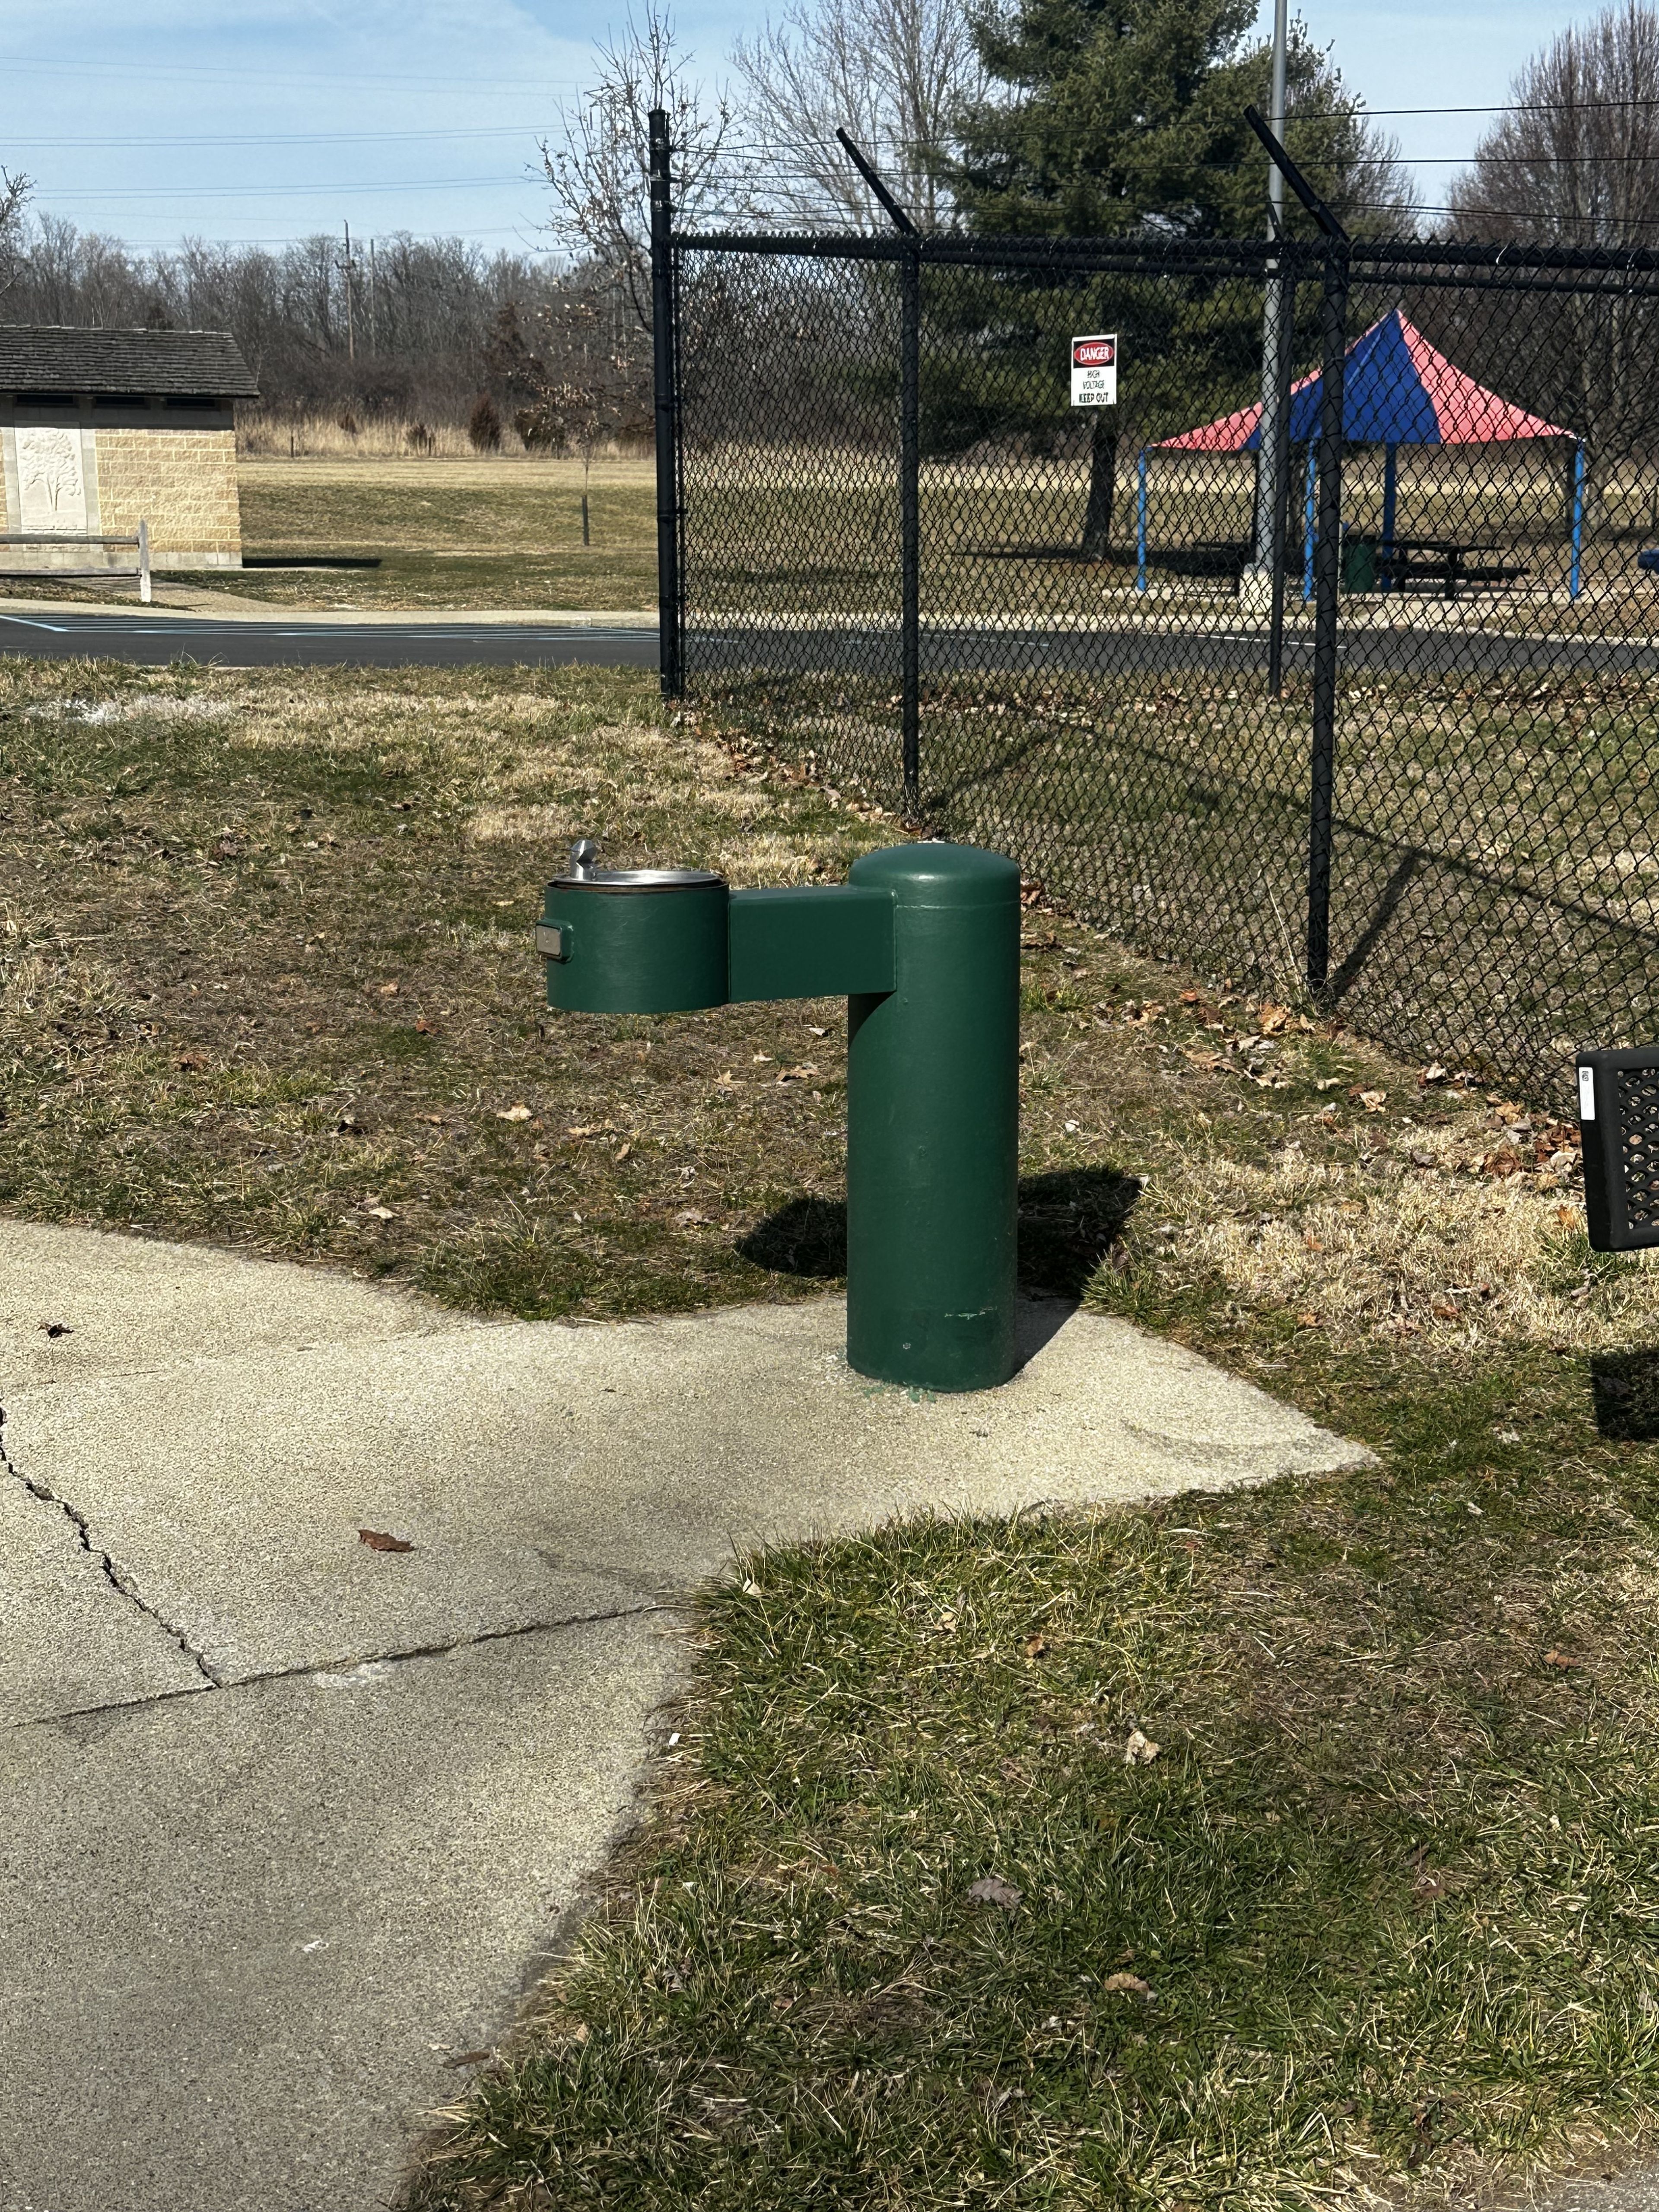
x=893, y=76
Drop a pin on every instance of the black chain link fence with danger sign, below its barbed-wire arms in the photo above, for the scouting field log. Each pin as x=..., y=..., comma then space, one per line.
x=1337, y=678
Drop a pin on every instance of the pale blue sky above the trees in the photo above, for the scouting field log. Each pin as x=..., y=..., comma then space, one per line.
x=273, y=118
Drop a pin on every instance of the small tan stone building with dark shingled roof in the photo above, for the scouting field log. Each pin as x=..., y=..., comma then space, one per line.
x=103, y=430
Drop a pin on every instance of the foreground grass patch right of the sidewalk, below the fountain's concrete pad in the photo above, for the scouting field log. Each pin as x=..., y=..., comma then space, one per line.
x=1379, y=1917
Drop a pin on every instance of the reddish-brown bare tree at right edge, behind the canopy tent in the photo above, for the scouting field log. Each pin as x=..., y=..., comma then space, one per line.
x=1578, y=165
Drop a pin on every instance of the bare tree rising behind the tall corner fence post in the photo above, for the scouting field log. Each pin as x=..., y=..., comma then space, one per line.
x=601, y=171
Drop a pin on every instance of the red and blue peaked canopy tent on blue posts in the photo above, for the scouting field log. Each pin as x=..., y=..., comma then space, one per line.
x=1397, y=390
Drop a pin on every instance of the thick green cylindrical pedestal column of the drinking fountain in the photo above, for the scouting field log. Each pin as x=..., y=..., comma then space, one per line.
x=935, y=1123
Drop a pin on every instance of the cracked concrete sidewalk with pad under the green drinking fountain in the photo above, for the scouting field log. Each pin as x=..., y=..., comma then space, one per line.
x=289, y=1824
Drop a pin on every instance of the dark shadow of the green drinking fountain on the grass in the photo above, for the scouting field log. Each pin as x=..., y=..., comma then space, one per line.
x=1070, y=1220
